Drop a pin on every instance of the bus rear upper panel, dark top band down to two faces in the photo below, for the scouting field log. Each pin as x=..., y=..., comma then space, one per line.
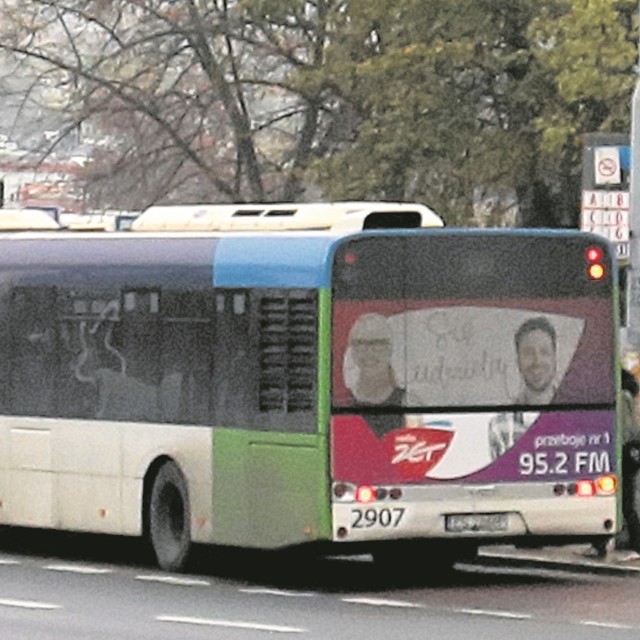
x=485, y=321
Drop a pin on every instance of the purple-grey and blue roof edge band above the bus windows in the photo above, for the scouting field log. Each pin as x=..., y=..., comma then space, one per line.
x=286, y=259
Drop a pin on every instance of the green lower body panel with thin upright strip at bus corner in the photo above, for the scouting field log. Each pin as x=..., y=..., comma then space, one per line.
x=271, y=490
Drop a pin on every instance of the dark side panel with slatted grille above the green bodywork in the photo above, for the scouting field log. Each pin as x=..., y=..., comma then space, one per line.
x=265, y=359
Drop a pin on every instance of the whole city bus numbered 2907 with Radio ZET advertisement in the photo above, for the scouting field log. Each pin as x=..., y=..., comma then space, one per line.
x=403, y=389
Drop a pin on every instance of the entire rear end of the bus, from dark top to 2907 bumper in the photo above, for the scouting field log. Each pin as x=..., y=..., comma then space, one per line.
x=473, y=390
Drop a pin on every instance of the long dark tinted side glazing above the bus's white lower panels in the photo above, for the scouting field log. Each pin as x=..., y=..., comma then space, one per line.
x=108, y=354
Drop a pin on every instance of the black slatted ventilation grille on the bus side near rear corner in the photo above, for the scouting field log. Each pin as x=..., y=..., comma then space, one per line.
x=287, y=353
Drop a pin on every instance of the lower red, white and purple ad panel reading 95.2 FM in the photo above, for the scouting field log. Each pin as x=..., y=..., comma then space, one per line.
x=482, y=447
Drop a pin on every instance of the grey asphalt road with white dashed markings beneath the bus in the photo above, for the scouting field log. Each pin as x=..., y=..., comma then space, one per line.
x=56, y=587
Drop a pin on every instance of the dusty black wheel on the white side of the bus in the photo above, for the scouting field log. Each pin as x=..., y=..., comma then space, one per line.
x=169, y=518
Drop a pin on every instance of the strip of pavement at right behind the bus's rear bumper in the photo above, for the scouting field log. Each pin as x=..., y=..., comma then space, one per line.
x=573, y=557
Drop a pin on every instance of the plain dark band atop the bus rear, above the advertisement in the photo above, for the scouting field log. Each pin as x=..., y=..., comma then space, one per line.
x=441, y=264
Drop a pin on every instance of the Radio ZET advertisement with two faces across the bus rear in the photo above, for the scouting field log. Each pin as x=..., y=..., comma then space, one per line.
x=432, y=361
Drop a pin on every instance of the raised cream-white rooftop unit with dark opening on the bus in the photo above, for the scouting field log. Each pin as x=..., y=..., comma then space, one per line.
x=345, y=216
